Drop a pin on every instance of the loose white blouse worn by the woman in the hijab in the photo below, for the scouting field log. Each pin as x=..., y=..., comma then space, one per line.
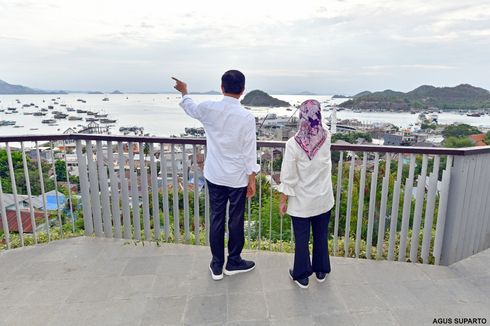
x=307, y=183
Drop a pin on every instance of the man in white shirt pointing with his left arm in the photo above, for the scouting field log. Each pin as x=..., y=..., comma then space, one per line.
x=230, y=168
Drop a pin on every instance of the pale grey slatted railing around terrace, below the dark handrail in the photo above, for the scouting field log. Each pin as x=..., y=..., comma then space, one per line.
x=397, y=203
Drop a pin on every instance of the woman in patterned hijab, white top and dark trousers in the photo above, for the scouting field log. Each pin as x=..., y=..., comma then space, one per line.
x=307, y=194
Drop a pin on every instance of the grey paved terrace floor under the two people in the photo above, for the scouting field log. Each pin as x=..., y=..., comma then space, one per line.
x=88, y=281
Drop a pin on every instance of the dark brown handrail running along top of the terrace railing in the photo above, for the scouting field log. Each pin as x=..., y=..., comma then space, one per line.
x=465, y=151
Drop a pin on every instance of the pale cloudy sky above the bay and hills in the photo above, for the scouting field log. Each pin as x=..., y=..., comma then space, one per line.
x=326, y=47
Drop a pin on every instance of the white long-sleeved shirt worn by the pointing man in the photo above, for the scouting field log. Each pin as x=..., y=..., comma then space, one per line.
x=230, y=139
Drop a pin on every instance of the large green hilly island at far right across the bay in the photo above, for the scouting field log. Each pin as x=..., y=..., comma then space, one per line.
x=464, y=96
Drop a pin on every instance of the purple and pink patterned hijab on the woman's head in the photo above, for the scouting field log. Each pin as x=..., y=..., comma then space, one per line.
x=311, y=135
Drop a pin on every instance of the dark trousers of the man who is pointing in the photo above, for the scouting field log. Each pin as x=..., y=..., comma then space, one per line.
x=218, y=198
